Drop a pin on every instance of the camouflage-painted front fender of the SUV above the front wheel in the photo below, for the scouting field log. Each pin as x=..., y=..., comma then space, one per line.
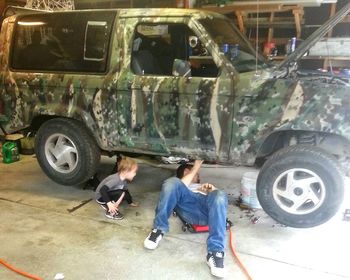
x=306, y=104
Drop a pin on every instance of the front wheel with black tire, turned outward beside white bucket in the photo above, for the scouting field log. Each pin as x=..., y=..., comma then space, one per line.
x=316, y=186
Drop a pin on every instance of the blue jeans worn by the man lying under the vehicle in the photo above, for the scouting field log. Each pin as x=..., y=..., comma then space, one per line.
x=195, y=208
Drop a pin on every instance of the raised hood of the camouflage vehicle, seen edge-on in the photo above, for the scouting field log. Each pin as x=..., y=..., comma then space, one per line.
x=315, y=37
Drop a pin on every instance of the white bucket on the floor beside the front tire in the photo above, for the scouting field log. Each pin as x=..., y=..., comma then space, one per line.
x=248, y=190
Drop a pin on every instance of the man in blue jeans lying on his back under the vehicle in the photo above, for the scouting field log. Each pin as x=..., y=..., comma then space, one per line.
x=206, y=207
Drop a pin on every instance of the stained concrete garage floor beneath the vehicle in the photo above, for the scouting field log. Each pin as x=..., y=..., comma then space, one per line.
x=47, y=229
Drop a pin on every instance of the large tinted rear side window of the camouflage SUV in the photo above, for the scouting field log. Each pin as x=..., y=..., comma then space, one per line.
x=69, y=42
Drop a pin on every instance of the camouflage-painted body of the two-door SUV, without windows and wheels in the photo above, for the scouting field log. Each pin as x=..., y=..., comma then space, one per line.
x=224, y=119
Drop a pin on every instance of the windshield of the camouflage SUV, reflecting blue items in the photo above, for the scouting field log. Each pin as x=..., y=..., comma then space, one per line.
x=232, y=44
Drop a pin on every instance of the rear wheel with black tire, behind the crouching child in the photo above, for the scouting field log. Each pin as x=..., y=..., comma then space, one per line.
x=66, y=151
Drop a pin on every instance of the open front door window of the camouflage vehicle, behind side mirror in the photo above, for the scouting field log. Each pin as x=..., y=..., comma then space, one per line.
x=156, y=47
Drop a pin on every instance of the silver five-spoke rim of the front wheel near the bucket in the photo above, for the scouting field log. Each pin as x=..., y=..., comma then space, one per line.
x=299, y=191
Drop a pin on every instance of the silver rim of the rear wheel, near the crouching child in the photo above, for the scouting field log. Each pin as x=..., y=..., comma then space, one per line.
x=61, y=153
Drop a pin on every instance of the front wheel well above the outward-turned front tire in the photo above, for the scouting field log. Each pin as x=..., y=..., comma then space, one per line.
x=334, y=144
